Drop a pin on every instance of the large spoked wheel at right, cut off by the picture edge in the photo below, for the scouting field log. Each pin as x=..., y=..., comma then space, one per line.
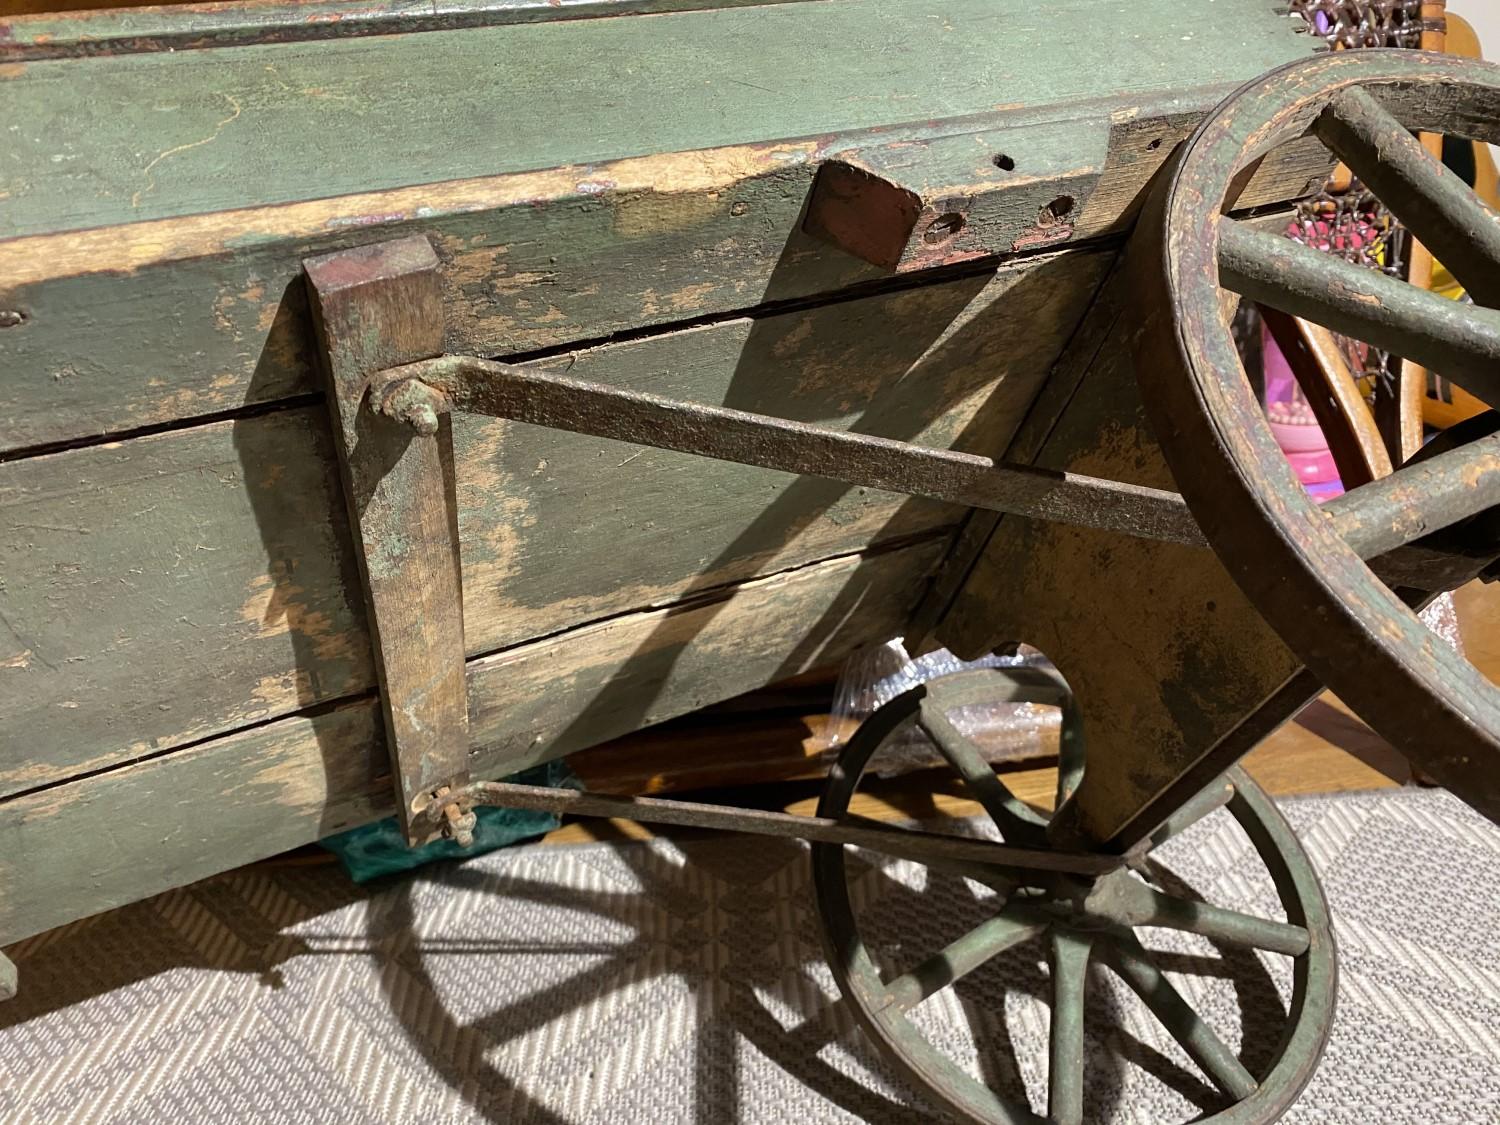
x=1340, y=583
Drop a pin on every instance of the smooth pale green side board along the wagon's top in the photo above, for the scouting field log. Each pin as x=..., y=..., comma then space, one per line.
x=262, y=125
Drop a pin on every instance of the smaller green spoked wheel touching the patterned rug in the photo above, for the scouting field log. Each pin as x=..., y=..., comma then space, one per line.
x=1078, y=920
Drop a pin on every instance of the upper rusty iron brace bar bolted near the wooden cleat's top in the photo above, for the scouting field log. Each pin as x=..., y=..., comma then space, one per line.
x=502, y=391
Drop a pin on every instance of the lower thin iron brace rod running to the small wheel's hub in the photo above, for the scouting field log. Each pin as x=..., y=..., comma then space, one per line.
x=899, y=842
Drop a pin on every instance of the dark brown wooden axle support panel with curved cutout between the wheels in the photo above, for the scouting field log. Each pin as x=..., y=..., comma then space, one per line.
x=1163, y=652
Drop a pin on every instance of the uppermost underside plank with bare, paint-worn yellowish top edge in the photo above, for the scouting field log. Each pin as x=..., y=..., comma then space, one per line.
x=218, y=319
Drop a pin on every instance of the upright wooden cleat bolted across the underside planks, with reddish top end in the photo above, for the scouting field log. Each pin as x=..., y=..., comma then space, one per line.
x=379, y=307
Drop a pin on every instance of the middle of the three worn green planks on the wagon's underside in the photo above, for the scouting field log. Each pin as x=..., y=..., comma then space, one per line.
x=218, y=556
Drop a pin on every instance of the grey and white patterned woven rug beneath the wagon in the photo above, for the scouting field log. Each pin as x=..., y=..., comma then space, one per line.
x=683, y=982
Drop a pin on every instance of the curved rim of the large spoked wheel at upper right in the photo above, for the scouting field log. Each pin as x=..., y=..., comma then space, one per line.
x=1318, y=593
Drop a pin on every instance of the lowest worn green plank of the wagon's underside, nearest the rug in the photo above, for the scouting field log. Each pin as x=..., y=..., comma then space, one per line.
x=124, y=835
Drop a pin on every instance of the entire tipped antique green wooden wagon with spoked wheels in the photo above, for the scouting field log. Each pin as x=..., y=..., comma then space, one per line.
x=397, y=400
